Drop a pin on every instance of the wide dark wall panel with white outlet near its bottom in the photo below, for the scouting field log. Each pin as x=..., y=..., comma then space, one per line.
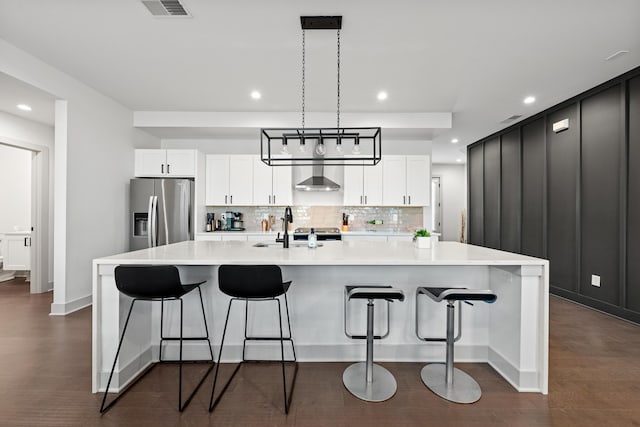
x=600, y=194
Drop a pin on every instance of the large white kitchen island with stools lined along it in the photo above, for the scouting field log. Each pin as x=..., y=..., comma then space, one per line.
x=511, y=334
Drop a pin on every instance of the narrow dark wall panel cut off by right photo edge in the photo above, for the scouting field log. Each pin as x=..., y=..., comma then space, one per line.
x=633, y=204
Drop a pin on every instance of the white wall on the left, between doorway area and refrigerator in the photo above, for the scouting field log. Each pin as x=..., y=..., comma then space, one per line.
x=94, y=146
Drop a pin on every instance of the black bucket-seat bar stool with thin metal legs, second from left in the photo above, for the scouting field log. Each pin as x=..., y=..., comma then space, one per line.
x=254, y=283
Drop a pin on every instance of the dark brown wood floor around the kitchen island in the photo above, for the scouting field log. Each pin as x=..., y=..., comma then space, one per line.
x=45, y=380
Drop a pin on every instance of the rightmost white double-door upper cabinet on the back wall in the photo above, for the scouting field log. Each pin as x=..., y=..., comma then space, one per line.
x=406, y=180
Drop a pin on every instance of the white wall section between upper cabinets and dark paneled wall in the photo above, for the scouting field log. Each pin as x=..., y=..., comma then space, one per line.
x=453, y=193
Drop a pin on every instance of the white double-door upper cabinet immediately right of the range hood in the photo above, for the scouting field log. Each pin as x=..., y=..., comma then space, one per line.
x=363, y=185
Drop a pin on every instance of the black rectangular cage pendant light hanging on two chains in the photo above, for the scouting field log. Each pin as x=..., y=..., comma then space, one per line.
x=325, y=146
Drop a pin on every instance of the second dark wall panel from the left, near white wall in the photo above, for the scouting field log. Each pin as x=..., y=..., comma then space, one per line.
x=492, y=193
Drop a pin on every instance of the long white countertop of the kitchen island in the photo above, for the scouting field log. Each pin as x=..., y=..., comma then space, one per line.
x=331, y=253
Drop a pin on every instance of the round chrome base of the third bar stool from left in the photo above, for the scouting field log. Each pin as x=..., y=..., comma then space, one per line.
x=382, y=388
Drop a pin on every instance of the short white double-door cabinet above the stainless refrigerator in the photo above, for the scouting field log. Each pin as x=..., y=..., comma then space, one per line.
x=165, y=163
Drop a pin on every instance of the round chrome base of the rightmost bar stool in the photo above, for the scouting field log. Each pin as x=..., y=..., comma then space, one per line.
x=463, y=389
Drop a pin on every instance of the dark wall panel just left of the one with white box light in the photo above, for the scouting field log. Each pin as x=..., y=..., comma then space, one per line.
x=533, y=188
